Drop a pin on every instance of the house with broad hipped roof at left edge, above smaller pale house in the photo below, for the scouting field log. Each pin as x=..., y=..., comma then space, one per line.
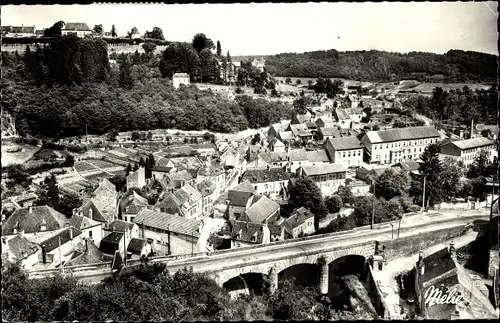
x=33, y=220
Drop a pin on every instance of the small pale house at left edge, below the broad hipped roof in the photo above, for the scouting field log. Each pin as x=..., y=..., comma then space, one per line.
x=20, y=248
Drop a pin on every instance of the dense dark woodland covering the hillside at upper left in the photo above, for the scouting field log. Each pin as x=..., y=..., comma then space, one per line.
x=69, y=86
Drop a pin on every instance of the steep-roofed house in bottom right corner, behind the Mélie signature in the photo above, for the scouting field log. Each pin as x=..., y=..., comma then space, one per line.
x=441, y=271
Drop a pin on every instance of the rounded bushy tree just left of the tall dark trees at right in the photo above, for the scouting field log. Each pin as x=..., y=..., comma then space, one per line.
x=392, y=184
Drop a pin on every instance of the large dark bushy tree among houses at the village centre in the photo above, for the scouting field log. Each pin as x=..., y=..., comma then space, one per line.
x=304, y=192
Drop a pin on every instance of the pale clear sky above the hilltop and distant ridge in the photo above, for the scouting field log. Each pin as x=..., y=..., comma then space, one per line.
x=266, y=29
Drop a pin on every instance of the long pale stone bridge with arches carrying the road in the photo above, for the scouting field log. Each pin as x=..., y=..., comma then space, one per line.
x=278, y=259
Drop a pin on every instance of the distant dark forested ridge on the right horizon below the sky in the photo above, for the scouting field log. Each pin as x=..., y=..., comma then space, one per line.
x=454, y=66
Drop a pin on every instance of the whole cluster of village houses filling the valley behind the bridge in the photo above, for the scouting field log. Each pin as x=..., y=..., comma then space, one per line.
x=214, y=191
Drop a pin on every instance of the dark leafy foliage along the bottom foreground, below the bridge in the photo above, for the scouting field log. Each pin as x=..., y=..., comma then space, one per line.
x=150, y=293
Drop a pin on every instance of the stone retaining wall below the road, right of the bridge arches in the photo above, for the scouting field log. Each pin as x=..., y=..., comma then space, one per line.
x=406, y=246
